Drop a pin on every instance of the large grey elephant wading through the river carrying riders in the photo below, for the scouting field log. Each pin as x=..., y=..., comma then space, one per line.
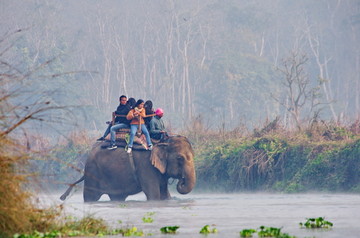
x=119, y=174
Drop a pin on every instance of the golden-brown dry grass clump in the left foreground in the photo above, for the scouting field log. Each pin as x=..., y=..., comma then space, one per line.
x=18, y=214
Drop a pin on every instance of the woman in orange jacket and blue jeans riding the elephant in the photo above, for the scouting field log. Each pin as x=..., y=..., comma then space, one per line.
x=136, y=116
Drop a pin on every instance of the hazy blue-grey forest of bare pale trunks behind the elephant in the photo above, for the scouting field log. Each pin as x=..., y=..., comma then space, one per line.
x=231, y=63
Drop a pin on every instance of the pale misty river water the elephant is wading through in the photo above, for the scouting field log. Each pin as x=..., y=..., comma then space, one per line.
x=228, y=213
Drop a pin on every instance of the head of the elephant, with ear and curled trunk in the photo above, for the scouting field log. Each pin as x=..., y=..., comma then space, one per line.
x=175, y=158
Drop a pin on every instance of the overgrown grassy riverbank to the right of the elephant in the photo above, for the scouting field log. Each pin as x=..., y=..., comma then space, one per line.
x=324, y=158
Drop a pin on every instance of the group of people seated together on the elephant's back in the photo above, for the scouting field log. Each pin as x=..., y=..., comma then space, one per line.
x=138, y=116
